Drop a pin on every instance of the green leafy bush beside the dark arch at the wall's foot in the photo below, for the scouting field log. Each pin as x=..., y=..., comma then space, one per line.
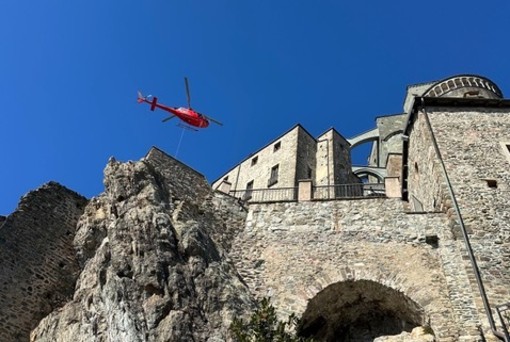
x=264, y=326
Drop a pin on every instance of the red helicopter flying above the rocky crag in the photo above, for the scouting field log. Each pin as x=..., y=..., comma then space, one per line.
x=188, y=115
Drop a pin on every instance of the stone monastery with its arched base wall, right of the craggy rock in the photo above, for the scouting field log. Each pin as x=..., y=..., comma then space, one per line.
x=428, y=217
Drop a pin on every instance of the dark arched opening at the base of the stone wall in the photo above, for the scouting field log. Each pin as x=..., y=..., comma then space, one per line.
x=359, y=311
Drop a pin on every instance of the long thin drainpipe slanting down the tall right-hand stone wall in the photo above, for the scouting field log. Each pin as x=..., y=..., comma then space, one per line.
x=474, y=265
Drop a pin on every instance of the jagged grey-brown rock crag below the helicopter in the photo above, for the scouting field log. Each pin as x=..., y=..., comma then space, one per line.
x=153, y=258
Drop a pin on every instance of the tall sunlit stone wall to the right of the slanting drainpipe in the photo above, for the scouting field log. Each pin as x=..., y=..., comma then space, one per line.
x=470, y=145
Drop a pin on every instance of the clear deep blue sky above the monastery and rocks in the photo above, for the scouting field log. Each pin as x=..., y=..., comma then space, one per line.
x=69, y=72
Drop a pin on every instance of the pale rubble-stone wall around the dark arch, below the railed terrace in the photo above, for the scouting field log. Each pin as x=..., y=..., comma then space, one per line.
x=292, y=251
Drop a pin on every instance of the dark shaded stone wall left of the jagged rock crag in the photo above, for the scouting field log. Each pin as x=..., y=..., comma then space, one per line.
x=37, y=260
